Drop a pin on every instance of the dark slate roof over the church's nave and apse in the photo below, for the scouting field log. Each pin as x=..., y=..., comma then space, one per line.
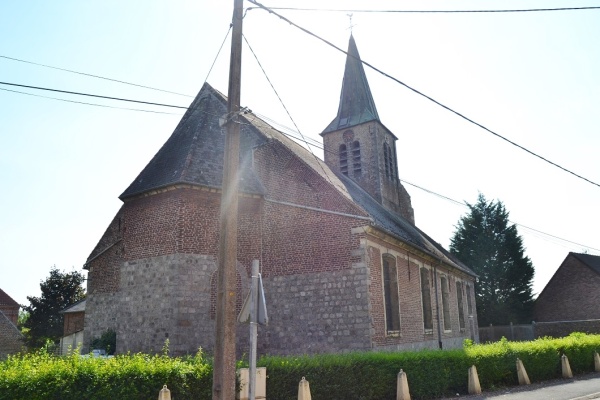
x=194, y=155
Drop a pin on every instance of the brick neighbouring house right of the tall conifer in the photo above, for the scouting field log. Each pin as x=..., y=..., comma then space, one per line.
x=570, y=301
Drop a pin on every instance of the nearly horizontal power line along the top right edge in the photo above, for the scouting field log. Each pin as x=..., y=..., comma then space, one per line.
x=429, y=11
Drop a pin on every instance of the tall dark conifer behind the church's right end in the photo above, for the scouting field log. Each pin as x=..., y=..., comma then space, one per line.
x=486, y=242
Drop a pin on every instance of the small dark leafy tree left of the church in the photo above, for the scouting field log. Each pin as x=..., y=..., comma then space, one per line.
x=59, y=290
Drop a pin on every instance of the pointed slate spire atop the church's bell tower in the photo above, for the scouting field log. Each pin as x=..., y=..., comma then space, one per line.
x=356, y=102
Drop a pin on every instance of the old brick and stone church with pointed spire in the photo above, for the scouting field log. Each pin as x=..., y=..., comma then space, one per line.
x=344, y=266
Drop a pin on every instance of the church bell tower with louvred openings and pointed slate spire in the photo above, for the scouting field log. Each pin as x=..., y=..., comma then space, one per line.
x=359, y=146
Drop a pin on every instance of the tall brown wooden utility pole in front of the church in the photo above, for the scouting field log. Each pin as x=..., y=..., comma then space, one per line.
x=224, y=363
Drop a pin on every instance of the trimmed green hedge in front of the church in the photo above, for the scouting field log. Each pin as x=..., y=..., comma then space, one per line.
x=366, y=375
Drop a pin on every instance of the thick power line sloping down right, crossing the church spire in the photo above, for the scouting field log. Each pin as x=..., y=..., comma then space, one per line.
x=423, y=95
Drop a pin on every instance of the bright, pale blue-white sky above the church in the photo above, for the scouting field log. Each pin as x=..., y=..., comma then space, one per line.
x=531, y=77
